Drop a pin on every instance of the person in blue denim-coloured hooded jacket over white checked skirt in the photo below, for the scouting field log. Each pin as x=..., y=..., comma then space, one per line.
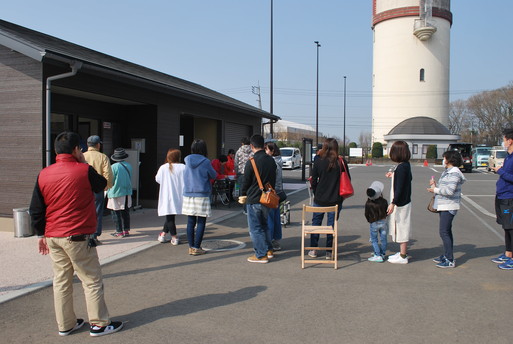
x=196, y=194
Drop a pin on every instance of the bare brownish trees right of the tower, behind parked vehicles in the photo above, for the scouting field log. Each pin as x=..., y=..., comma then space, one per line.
x=481, y=118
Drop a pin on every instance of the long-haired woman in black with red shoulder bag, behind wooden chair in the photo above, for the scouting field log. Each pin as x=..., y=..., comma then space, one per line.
x=325, y=186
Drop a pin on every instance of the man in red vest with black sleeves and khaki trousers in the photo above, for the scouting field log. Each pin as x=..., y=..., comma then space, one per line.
x=64, y=217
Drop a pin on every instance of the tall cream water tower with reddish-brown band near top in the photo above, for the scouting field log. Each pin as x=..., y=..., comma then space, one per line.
x=410, y=66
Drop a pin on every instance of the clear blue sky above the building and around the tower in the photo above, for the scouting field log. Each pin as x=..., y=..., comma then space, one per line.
x=224, y=45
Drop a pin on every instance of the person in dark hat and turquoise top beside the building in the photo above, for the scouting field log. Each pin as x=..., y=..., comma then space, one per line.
x=120, y=194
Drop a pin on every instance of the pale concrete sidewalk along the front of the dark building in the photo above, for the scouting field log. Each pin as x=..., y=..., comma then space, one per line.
x=24, y=270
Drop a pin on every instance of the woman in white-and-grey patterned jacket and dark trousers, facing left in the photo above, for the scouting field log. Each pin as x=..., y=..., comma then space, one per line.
x=447, y=202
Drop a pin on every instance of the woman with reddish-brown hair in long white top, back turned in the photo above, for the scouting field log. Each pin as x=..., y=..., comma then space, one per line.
x=170, y=178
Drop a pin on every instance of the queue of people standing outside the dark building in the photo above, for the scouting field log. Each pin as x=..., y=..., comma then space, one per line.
x=67, y=194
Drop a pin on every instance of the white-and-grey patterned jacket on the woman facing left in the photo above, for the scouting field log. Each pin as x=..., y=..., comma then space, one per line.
x=448, y=191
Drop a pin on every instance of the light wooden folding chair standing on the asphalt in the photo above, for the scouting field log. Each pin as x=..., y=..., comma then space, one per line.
x=309, y=229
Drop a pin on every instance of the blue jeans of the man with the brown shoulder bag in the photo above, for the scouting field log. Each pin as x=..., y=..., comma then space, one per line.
x=258, y=229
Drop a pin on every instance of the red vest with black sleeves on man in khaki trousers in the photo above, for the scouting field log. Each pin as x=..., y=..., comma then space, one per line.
x=63, y=199
